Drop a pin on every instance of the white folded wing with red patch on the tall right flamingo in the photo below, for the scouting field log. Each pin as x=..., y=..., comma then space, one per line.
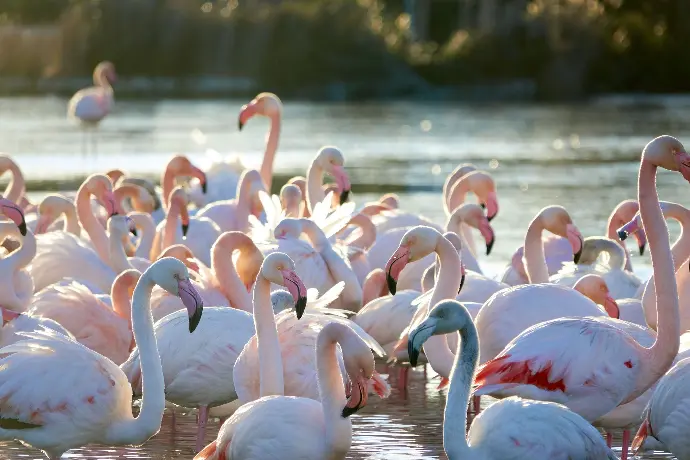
x=588, y=365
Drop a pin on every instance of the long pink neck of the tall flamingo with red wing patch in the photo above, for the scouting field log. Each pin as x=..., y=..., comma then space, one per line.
x=659, y=357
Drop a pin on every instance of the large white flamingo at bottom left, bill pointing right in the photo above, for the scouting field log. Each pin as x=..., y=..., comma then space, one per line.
x=58, y=395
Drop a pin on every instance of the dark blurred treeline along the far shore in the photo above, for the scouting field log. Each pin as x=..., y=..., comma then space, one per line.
x=566, y=48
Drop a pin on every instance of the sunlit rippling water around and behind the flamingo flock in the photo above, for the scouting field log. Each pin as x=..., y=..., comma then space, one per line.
x=583, y=157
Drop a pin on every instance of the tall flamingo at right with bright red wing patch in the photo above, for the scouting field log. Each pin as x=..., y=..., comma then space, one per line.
x=593, y=366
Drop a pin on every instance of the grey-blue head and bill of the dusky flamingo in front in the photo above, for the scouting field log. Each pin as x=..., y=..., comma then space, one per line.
x=445, y=317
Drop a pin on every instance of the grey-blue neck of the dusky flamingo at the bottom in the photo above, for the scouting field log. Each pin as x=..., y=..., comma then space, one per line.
x=455, y=415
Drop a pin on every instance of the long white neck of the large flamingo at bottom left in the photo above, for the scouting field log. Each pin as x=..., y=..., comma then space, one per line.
x=139, y=430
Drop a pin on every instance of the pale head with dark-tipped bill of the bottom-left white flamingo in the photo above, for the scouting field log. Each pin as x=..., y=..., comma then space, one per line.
x=172, y=275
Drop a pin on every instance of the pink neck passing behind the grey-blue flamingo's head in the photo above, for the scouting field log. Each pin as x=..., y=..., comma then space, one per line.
x=436, y=348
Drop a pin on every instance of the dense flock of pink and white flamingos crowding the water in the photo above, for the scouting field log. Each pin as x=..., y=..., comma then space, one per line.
x=269, y=312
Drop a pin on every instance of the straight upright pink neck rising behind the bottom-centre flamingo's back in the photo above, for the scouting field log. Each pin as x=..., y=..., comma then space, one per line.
x=270, y=360
